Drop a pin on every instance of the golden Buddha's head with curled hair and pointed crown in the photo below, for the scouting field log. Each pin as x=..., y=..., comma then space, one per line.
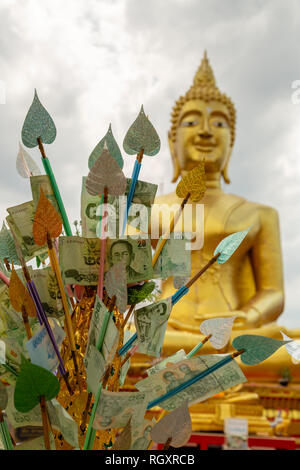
x=203, y=126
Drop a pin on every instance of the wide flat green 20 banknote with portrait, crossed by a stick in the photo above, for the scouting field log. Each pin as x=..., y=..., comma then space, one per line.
x=79, y=259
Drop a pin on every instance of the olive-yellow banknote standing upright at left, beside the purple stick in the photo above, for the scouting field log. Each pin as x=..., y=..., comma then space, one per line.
x=47, y=287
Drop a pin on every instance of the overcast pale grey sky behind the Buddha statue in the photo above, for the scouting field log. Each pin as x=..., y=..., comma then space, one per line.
x=95, y=62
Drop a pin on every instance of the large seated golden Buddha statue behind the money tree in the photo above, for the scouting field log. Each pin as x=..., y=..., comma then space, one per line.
x=250, y=284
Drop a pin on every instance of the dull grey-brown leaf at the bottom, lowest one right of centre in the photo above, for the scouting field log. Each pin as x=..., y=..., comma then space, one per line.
x=176, y=425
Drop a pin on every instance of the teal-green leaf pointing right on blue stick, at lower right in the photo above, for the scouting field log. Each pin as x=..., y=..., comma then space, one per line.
x=257, y=348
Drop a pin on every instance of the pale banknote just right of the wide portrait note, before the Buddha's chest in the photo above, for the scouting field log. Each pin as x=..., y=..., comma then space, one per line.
x=175, y=259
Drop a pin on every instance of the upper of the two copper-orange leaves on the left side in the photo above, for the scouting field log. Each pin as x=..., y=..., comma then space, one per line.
x=46, y=221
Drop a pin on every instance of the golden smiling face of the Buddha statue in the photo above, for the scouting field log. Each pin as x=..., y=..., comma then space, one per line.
x=203, y=132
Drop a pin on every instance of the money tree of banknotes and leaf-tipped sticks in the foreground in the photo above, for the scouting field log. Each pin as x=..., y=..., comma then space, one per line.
x=79, y=307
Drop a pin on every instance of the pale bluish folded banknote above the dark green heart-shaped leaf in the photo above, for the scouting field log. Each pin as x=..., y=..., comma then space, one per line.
x=41, y=349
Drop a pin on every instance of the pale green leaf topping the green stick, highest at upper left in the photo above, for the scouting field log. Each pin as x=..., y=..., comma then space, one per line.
x=38, y=123
